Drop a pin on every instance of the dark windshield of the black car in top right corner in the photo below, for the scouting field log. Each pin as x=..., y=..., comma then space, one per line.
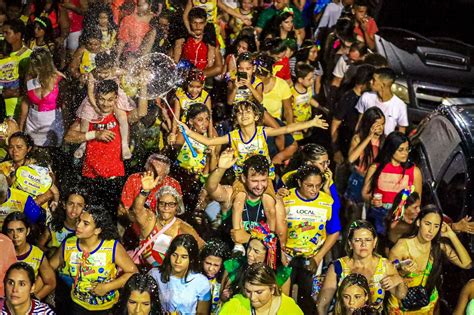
x=451, y=19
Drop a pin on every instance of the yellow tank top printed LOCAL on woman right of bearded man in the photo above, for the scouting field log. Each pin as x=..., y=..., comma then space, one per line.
x=306, y=222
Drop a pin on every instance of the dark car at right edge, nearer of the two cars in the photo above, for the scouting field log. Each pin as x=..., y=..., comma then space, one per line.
x=443, y=149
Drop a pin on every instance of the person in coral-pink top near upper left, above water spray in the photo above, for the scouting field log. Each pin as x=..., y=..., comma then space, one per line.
x=133, y=29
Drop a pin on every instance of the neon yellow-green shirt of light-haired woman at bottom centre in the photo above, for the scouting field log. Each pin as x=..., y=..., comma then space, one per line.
x=241, y=305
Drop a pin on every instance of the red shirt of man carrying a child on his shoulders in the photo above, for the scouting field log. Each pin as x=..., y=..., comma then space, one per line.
x=104, y=159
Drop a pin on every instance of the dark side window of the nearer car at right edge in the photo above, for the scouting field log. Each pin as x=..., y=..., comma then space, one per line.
x=450, y=188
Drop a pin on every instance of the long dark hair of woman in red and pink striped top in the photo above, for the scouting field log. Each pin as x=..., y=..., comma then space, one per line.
x=390, y=146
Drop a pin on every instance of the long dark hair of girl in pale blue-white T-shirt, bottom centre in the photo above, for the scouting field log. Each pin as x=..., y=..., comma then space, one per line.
x=190, y=244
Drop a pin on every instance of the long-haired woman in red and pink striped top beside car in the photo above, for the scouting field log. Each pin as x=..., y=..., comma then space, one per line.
x=391, y=173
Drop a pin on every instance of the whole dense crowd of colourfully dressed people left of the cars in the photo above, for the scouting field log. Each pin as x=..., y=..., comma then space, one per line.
x=278, y=181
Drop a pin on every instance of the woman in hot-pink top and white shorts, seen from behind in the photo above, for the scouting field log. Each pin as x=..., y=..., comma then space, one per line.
x=41, y=116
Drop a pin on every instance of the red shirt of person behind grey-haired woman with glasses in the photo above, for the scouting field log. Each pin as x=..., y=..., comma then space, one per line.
x=133, y=185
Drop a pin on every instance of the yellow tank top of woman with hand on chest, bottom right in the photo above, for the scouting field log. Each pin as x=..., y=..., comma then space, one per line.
x=376, y=290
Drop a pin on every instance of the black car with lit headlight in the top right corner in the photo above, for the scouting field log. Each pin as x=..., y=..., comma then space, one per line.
x=430, y=46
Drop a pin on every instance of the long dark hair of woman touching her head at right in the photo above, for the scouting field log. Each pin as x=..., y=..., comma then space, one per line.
x=435, y=252
